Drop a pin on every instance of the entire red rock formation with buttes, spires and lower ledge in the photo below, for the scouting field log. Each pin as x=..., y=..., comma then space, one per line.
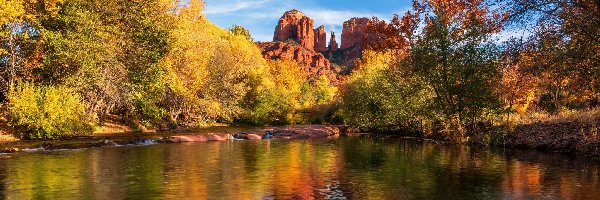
x=295, y=38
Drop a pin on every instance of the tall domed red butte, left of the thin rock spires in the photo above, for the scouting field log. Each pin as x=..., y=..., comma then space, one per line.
x=296, y=26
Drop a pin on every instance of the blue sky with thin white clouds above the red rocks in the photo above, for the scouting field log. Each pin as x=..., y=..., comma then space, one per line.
x=261, y=16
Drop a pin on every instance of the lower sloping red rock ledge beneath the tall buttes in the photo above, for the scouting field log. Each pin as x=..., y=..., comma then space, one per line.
x=315, y=64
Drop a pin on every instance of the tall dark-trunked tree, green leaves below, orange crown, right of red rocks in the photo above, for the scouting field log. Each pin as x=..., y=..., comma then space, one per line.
x=455, y=56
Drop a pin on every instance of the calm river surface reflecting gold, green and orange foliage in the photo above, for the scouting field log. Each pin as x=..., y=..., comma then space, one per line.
x=366, y=167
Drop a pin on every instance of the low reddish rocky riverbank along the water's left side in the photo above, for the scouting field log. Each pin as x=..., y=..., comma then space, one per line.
x=218, y=133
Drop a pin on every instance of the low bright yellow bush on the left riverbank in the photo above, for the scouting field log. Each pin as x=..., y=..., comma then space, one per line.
x=47, y=112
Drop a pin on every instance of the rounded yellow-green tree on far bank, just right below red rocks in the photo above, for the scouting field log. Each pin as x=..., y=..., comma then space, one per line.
x=378, y=97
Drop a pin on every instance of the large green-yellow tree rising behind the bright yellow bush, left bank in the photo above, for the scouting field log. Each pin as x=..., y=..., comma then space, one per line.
x=108, y=51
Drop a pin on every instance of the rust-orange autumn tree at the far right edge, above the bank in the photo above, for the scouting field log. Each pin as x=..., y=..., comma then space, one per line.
x=564, y=40
